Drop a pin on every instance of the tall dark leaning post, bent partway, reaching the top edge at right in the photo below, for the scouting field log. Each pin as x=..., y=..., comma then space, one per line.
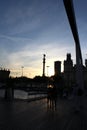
x=79, y=63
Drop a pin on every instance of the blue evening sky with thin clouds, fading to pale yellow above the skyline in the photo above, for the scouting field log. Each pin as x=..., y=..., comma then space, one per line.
x=31, y=28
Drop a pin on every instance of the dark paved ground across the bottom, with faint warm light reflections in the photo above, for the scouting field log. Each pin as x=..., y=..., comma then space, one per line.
x=43, y=115
